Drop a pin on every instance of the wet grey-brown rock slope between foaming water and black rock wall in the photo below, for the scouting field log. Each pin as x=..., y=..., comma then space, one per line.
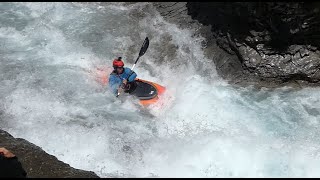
x=228, y=65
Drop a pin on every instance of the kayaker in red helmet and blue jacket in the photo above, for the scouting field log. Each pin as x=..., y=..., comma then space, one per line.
x=121, y=78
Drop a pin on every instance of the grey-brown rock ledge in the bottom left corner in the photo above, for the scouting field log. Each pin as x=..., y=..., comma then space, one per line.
x=37, y=163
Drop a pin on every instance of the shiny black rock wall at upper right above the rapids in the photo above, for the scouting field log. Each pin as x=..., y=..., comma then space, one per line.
x=274, y=41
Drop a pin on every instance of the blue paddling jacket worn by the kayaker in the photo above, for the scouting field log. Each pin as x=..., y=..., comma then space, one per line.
x=115, y=79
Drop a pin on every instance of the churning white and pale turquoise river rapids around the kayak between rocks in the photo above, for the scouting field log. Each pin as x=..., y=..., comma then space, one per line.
x=209, y=129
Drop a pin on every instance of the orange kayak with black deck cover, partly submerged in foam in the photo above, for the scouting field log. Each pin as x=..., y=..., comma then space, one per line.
x=146, y=91
